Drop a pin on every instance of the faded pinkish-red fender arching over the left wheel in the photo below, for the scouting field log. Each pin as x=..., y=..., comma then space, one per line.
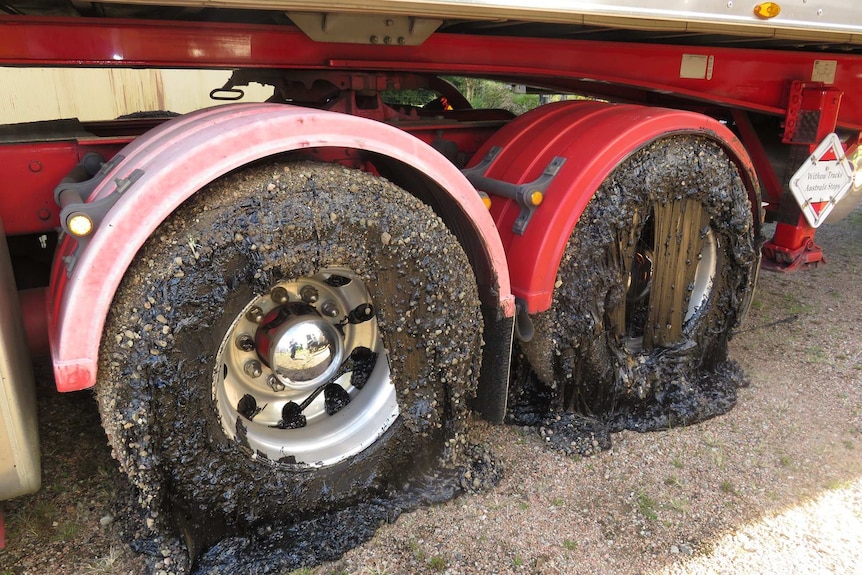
x=182, y=156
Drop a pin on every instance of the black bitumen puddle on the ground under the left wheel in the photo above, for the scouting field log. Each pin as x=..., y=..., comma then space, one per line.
x=203, y=548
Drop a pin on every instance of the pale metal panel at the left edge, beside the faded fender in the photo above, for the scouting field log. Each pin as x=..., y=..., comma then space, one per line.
x=20, y=471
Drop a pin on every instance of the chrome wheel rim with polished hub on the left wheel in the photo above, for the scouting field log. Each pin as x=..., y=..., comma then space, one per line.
x=302, y=375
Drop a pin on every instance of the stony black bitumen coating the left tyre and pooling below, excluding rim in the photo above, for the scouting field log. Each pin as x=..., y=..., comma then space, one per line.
x=254, y=229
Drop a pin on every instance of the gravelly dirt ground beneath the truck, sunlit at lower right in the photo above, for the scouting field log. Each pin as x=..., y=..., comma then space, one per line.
x=775, y=486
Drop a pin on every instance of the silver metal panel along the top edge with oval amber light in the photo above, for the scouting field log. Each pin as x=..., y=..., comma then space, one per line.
x=811, y=17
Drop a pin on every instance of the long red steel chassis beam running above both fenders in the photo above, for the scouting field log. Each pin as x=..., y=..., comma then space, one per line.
x=750, y=79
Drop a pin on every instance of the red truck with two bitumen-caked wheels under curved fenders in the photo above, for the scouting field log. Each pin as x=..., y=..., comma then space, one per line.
x=284, y=306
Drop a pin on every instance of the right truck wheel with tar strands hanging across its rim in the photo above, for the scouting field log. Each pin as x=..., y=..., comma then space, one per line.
x=655, y=275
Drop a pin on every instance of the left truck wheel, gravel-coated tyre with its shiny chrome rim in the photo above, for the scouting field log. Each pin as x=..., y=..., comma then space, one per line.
x=294, y=338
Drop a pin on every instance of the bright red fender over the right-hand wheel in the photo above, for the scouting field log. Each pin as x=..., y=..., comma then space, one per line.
x=593, y=137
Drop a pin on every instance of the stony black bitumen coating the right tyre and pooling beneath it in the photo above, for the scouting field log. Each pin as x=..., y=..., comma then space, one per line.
x=575, y=382
